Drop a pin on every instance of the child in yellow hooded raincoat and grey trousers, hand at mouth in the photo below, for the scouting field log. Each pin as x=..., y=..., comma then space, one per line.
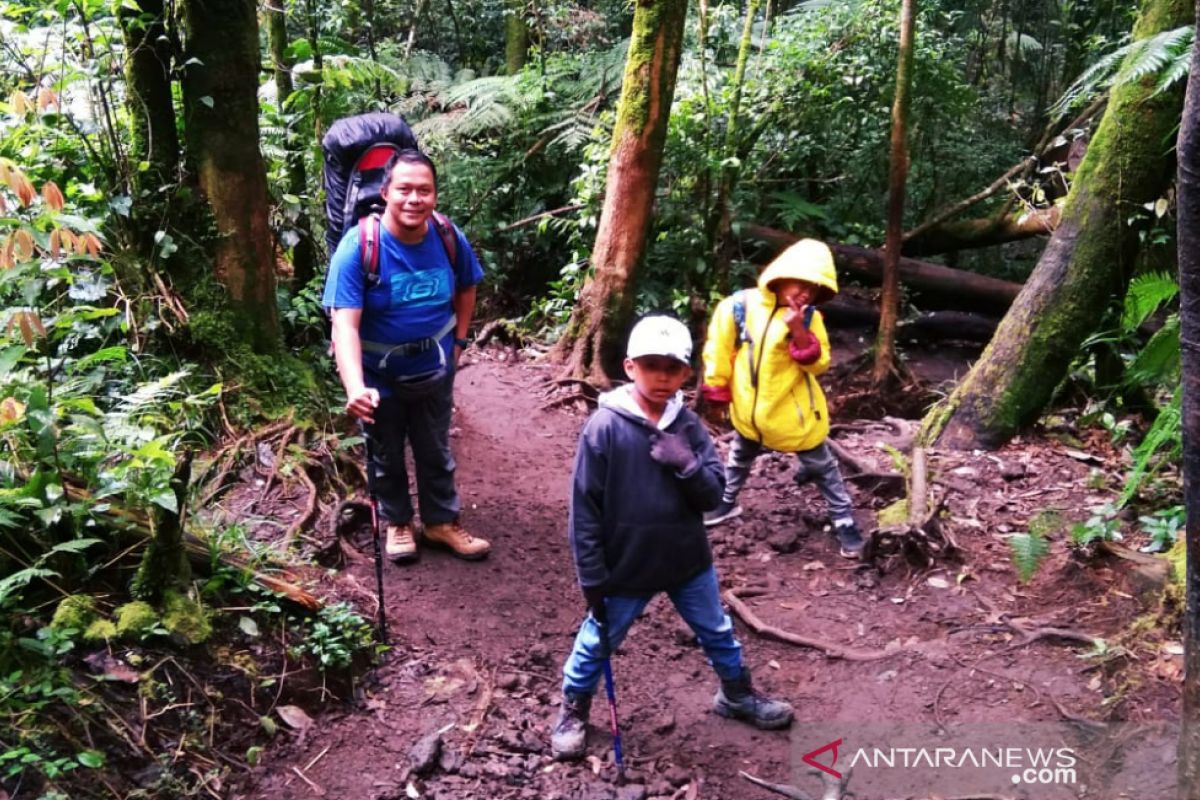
x=766, y=347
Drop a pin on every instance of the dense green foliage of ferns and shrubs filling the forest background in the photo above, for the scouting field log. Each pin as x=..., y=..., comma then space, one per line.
x=118, y=351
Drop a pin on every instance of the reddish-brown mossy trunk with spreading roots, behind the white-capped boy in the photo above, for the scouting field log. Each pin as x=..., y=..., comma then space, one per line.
x=595, y=339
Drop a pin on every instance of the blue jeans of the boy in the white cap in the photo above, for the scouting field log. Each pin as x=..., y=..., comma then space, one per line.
x=699, y=603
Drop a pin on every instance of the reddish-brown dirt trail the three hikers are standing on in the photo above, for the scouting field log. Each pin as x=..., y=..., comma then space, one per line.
x=478, y=647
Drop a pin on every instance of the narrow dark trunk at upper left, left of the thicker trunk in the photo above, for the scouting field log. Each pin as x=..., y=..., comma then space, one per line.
x=152, y=110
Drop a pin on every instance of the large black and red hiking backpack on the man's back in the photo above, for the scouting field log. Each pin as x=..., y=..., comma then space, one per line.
x=357, y=149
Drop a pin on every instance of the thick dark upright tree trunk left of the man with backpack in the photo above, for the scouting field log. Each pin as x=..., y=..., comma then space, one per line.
x=220, y=92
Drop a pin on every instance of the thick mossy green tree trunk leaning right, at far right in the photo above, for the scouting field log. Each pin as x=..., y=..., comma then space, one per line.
x=1084, y=269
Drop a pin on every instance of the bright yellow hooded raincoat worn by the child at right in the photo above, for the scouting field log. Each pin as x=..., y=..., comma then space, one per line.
x=777, y=401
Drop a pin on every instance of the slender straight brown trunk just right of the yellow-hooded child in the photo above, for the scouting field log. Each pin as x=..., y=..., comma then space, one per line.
x=898, y=176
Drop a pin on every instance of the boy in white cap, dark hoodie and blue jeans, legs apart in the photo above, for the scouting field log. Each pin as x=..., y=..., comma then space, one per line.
x=645, y=474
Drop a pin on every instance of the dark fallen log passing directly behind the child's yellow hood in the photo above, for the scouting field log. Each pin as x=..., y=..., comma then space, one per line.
x=949, y=287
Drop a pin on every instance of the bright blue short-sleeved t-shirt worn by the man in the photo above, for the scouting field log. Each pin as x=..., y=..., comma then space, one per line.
x=412, y=300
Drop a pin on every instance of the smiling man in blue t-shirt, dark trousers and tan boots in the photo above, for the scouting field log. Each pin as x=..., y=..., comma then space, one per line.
x=398, y=336
